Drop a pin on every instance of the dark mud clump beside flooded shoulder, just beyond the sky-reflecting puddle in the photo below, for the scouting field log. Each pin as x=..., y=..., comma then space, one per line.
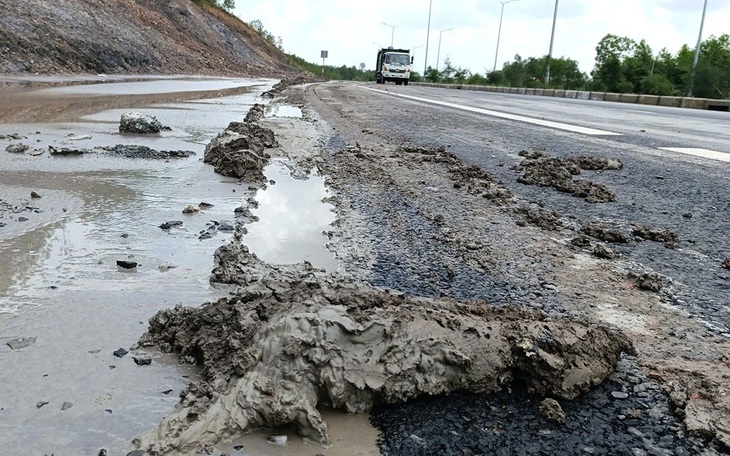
x=239, y=151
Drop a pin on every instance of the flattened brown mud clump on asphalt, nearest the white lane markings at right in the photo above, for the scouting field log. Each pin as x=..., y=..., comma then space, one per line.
x=540, y=169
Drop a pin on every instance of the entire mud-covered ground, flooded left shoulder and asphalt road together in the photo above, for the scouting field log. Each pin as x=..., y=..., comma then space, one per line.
x=384, y=243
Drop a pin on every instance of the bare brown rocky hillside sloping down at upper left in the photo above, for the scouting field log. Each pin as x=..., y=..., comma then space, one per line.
x=131, y=36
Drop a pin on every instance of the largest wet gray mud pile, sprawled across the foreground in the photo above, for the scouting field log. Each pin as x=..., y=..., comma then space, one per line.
x=295, y=338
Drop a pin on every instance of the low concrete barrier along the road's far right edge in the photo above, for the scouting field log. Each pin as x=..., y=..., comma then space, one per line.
x=650, y=100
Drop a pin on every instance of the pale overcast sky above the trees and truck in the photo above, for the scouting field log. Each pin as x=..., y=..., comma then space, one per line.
x=352, y=30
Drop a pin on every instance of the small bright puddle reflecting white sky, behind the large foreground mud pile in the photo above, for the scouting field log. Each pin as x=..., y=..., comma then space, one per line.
x=292, y=218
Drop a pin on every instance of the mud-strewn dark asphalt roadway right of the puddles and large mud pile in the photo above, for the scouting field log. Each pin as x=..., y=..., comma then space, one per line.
x=648, y=260
